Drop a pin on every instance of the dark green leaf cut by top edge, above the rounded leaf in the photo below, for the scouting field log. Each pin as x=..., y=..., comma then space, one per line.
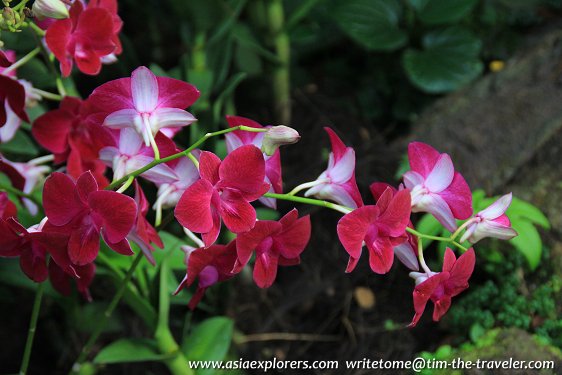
x=437, y=12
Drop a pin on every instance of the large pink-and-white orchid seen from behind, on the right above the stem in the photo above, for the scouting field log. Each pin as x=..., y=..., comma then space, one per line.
x=436, y=187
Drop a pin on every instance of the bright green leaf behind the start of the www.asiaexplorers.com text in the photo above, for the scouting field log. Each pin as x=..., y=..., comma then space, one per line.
x=209, y=341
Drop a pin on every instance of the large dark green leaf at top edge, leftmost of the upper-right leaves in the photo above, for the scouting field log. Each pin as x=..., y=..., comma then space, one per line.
x=372, y=23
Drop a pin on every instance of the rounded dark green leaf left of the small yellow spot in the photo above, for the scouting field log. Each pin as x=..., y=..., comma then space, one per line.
x=448, y=61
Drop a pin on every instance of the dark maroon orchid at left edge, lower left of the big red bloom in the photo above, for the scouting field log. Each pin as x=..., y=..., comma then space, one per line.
x=31, y=246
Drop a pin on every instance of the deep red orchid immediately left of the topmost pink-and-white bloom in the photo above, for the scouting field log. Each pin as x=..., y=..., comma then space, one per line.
x=66, y=133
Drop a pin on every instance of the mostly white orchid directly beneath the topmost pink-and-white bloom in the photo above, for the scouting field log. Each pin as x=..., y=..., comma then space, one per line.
x=130, y=154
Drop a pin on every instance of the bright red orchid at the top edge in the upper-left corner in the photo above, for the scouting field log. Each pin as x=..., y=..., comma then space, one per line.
x=85, y=38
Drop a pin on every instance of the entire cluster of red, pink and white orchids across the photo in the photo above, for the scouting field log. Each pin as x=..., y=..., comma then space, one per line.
x=129, y=125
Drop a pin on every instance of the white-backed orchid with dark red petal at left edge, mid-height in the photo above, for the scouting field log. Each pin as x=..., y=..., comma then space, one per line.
x=25, y=177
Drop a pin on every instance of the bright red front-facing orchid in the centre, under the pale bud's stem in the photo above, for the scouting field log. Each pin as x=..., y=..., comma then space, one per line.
x=224, y=191
